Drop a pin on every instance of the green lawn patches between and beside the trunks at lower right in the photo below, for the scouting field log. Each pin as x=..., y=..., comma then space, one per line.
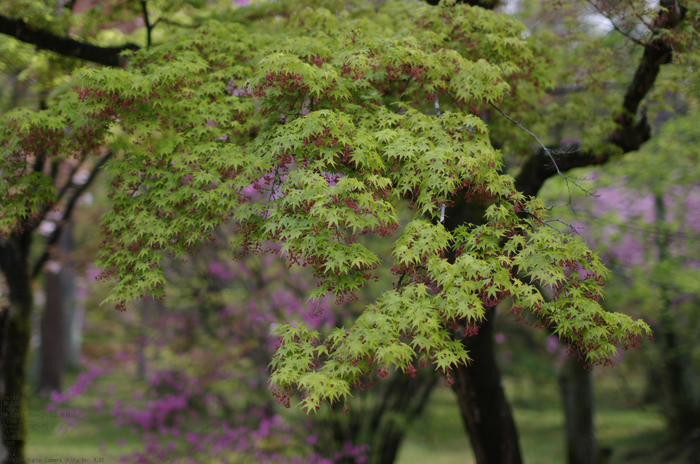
x=439, y=438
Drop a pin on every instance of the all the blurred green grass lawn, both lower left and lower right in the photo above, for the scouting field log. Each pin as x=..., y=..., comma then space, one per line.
x=438, y=438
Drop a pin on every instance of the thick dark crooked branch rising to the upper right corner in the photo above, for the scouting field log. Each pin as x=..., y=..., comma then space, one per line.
x=631, y=131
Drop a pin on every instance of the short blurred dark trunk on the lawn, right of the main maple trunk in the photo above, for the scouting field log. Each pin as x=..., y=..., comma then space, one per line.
x=577, y=394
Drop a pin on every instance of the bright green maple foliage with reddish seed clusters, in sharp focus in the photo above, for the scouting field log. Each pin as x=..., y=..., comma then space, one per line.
x=305, y=131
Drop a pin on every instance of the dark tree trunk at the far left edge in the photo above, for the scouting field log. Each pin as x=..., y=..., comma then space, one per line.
x=15, y=334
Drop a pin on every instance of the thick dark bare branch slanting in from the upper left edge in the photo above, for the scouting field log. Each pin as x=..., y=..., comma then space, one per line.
x=108, y=56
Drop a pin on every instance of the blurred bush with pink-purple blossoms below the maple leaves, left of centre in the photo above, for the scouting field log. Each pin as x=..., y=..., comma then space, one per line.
x=209, y=402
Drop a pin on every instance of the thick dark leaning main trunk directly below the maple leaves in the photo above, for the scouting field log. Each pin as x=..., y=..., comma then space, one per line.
x=482, y=401
